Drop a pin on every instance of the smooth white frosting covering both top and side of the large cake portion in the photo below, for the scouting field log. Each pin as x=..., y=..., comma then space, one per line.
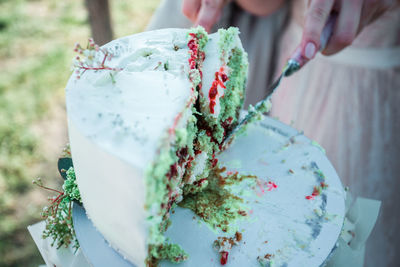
x=116, y=128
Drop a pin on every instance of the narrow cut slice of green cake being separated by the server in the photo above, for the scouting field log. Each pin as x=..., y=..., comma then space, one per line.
x=222, y=91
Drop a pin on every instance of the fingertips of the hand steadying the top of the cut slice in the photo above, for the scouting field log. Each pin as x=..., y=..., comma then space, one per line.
x=203, y=12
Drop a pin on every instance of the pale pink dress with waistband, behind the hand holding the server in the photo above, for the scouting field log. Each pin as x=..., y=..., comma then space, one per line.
x=350, y=104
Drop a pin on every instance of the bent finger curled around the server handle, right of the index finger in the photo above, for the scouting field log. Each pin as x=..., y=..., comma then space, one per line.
x=347, y=26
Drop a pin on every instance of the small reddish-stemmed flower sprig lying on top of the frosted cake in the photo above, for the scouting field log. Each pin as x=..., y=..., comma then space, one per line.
x=93, y=57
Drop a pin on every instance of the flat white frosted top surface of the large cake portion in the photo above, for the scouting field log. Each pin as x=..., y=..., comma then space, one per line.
x=133, y=113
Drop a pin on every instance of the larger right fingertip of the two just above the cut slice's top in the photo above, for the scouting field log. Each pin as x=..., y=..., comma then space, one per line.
x=209, y=13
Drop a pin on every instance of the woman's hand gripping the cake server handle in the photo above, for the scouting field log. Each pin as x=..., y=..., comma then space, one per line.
x=353, y=16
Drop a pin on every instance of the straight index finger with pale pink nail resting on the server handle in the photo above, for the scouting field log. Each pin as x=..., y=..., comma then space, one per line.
x=316, y=18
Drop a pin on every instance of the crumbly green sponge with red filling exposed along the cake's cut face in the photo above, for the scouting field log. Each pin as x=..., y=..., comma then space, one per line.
x=171, y=178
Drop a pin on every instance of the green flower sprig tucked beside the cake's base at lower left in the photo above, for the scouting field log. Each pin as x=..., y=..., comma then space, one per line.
x=58, y=215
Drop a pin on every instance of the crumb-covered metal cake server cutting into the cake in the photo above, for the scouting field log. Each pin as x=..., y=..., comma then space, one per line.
x=295, y=63
